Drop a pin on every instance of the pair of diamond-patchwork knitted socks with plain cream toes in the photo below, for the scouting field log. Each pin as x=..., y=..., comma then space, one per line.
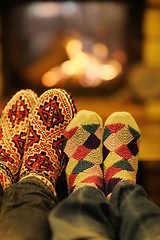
x=101, y=157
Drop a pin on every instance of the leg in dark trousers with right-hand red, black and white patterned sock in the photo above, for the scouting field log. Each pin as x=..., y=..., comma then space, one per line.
x=42, y=162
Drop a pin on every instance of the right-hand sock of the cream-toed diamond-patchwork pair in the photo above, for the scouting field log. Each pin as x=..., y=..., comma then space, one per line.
x=121, y=140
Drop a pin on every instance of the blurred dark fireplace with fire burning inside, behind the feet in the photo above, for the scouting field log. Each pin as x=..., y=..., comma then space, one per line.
x=83, y=46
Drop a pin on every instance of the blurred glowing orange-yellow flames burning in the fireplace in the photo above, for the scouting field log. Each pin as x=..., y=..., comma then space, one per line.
x=90, y=68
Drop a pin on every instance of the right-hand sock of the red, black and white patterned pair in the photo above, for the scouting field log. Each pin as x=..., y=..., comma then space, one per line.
x=43, y=152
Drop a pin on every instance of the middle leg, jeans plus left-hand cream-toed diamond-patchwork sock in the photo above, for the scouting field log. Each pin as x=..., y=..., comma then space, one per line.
x=85, y=214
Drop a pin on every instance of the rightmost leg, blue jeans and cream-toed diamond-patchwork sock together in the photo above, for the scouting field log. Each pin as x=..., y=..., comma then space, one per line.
x=140, y=217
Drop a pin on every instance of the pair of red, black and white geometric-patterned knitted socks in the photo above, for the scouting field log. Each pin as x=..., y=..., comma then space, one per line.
x=31, y=136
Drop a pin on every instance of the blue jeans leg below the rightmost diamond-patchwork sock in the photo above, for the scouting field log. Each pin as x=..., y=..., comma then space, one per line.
x=140, y=217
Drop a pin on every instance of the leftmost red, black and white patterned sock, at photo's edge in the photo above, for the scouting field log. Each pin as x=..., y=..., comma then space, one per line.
x=13, y=130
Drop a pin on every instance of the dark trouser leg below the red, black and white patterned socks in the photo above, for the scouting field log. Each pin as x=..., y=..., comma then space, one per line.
x=24, y=211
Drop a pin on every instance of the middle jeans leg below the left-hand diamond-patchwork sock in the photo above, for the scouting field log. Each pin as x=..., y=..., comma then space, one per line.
x=85, y=214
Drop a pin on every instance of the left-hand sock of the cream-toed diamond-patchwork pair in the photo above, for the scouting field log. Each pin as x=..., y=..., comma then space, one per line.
x=83, y=151
